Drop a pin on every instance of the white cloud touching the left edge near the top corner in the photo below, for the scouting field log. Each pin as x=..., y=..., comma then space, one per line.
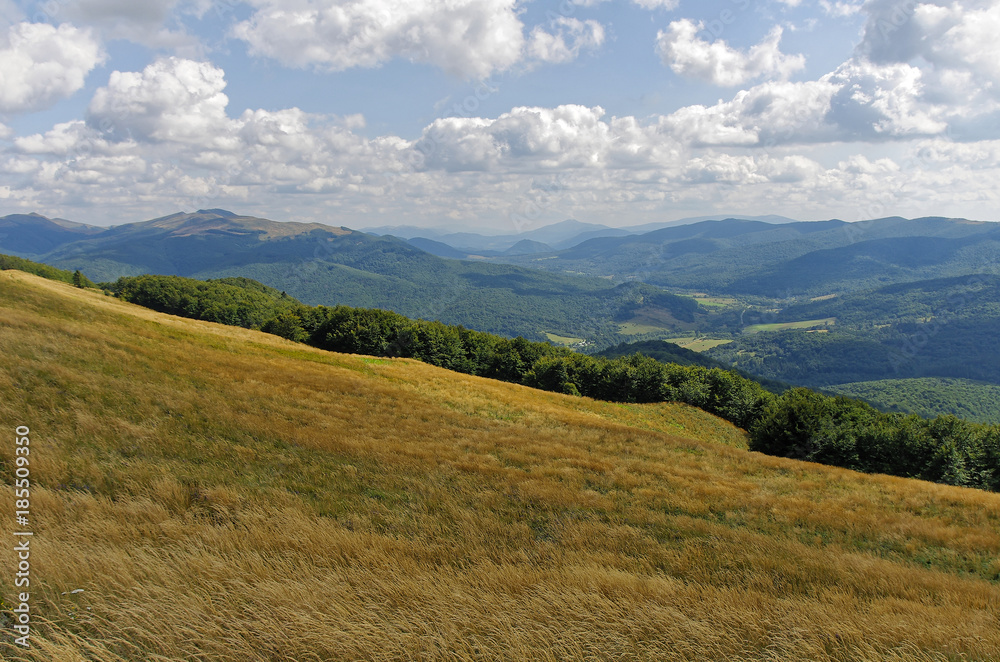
x=41, y=64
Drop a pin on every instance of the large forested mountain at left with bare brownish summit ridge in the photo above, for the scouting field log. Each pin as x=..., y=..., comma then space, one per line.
x=323, y=264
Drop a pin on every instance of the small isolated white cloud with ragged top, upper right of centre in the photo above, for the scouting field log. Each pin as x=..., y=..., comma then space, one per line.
x=680, y=48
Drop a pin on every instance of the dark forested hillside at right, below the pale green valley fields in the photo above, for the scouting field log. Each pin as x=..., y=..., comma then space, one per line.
x=943, y=328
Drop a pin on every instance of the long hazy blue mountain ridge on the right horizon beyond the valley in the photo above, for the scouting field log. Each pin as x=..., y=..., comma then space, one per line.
x=780, y=261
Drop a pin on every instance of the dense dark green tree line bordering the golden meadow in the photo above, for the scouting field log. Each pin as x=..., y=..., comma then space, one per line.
x=798, y=423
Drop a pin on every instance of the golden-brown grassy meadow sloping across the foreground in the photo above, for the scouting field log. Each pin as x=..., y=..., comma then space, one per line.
x=222, y=494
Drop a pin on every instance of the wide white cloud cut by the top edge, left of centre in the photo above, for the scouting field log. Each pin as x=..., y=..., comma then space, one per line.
x=466, y=38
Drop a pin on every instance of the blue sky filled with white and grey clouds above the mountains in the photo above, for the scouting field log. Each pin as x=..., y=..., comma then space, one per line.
x=500, y=115
